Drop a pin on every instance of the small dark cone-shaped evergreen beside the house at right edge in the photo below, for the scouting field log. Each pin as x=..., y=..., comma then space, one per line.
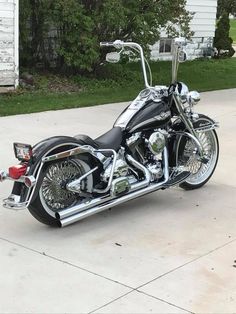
x=222, y=40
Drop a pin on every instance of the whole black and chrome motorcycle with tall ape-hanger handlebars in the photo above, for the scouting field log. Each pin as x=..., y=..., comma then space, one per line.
x=157, y=142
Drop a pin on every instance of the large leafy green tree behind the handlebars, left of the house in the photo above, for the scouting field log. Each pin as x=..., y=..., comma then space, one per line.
x=81, y=24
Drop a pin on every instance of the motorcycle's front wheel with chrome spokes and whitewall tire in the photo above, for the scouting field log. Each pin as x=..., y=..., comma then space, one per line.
x=201, y=172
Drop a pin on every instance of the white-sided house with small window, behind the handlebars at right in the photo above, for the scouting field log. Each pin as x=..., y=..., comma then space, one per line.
x=203, y=26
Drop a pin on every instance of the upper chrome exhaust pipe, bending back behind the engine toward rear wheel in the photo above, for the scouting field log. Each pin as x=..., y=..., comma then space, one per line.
x=101, y=200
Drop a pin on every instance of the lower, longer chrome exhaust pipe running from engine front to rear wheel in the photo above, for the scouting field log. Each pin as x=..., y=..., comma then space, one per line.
x=114, y=202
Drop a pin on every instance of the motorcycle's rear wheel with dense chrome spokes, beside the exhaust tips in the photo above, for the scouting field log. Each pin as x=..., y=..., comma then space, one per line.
x=52, y=195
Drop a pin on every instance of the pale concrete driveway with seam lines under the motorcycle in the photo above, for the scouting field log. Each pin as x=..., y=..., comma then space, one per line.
x=168, y=252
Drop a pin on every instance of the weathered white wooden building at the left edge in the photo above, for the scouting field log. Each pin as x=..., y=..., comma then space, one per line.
x=9, y=48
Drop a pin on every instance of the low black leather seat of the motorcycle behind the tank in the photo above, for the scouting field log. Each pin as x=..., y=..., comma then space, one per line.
x=111, y=139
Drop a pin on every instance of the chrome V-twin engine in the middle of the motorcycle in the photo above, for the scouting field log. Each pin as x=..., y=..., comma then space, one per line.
x=149, y=150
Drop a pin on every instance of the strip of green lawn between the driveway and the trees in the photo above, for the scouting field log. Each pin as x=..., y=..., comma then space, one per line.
x=201, y=75
